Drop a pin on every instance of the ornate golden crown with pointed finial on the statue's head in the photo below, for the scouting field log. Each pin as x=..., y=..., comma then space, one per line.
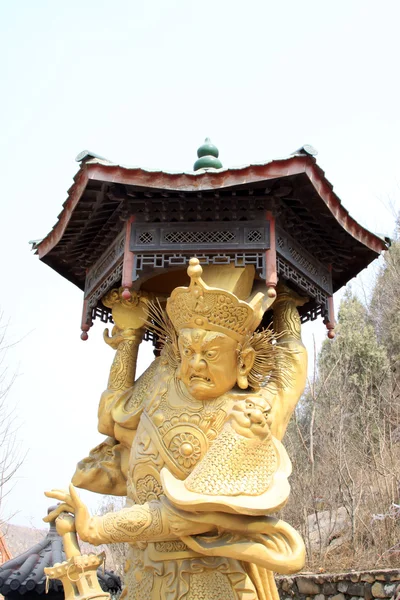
x=213, y=309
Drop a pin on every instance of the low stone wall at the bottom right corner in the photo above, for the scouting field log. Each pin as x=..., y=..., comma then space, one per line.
x=356, y=585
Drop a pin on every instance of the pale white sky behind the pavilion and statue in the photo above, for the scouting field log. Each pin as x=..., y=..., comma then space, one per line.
x=143, y=83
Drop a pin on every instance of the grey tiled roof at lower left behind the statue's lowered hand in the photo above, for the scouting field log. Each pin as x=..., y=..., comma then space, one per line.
x=24, y=575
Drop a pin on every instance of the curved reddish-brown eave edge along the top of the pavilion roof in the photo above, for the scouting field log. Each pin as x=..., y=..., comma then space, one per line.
x=208, y=180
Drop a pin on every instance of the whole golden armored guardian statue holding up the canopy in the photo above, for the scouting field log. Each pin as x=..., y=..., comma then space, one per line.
x=195, y=442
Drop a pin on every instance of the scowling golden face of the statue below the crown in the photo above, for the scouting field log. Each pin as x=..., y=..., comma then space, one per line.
x=209, y=363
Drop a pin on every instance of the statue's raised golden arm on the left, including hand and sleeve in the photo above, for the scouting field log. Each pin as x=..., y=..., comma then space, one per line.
x=105, y=470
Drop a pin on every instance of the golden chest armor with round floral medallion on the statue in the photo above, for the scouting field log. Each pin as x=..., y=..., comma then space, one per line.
x=174, y=431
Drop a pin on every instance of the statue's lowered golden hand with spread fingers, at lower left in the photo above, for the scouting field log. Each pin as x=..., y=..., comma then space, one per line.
x=70, y=503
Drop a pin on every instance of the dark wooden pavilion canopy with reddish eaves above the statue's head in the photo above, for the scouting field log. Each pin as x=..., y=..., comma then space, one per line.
x=126, y=225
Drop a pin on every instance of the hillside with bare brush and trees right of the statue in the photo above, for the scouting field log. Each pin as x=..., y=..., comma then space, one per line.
x=344, y=441
